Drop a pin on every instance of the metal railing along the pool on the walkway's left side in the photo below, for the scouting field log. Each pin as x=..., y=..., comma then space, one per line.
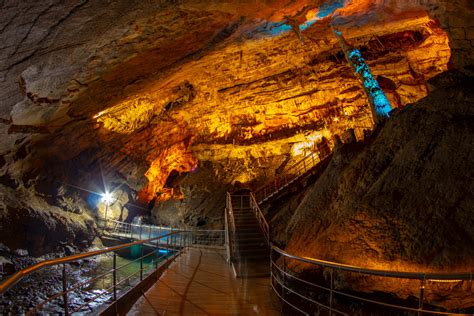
x=119, y=275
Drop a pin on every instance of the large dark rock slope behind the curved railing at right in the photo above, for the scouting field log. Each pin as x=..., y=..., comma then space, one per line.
x=402, y=199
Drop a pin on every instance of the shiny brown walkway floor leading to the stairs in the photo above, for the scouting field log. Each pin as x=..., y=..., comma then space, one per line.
x=200, y=282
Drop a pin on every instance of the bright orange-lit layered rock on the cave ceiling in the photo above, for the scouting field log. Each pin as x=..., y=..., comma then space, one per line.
x=254, y=104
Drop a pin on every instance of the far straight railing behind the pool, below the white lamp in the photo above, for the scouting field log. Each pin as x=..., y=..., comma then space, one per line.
x=215, y=238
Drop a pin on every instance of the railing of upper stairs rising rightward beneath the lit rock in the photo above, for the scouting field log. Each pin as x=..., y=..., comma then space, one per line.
x=290, y=175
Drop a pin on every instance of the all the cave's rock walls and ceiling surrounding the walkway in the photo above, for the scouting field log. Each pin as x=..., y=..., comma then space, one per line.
x=350, y=121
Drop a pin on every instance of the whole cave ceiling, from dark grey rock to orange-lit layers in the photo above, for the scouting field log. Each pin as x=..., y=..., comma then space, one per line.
x=140, y=89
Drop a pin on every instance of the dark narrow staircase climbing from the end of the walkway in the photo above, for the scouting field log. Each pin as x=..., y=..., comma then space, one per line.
x=250, y=257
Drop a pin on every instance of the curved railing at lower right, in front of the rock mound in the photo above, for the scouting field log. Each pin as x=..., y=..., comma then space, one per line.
x=304, y=297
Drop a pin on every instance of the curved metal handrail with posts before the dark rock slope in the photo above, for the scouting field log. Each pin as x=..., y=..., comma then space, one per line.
x=285, y=286
